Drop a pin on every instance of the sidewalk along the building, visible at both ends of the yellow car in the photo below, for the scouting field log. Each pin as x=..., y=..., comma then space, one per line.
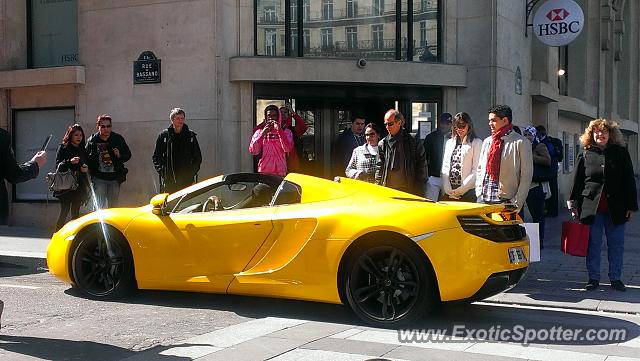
x=556, y=281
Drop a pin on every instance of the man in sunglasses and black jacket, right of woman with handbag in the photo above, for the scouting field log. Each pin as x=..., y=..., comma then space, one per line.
x=107, y=151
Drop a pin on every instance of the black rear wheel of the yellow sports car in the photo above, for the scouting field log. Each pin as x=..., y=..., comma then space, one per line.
x=383, y=297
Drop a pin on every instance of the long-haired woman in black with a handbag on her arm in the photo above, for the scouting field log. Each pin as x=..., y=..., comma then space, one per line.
x=72, y=155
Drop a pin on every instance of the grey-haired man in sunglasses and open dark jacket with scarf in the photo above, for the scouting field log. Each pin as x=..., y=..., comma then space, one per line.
x=401, y=160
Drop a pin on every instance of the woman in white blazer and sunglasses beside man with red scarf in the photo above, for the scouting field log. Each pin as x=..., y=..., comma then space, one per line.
x=460, y=161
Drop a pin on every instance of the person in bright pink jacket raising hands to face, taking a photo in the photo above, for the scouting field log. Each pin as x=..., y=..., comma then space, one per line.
x=274, y=142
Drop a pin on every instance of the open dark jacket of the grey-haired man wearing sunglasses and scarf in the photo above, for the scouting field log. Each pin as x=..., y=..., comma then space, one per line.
x=415, y=164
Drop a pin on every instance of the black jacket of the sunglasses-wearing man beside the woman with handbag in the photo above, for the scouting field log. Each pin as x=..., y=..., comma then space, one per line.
x=115, y=140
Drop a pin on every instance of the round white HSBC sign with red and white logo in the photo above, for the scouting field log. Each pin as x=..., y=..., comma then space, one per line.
x=558, y=22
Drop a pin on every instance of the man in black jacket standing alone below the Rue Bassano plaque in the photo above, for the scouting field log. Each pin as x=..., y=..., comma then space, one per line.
x=177, y=156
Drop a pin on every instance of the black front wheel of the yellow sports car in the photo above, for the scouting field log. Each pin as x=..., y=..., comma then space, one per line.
x=103, y=270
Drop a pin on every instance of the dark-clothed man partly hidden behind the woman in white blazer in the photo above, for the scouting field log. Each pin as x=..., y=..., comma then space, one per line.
x=434, y=150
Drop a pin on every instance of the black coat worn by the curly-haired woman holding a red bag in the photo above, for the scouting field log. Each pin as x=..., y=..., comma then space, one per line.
x=608, y=173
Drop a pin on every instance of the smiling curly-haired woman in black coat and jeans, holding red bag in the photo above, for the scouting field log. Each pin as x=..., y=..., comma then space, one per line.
x=604, y=196
